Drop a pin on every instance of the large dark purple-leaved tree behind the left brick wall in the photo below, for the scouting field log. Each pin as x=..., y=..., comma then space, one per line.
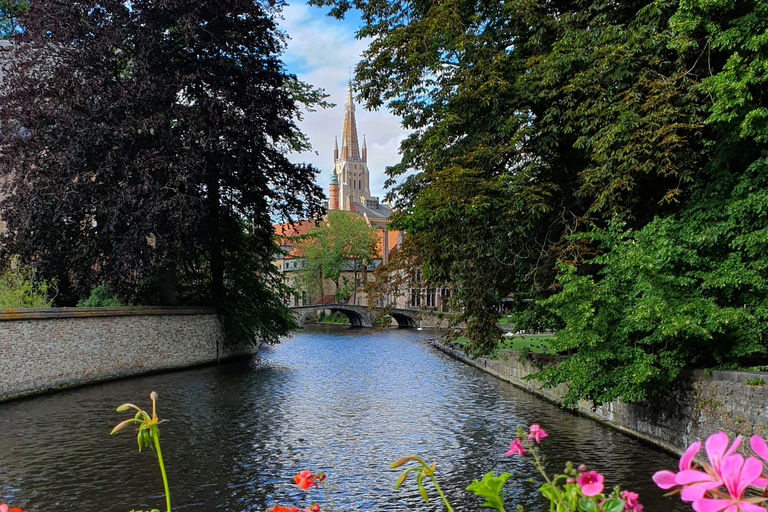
x=152, y=153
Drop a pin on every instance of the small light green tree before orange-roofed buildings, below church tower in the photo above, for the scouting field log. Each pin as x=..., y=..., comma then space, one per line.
x=342, y=242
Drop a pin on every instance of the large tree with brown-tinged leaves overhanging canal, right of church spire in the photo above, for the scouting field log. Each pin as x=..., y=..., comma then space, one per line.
x=531, y=121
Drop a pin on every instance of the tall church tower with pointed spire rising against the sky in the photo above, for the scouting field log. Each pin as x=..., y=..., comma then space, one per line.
x=350, y=166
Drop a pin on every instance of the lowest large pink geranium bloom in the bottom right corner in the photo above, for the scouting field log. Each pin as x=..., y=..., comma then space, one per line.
x=737, y=475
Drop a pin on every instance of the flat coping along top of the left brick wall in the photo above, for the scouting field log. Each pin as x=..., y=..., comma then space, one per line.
x=7, y=315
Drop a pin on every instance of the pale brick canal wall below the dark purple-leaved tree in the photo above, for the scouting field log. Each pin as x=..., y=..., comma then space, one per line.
x=47, y=349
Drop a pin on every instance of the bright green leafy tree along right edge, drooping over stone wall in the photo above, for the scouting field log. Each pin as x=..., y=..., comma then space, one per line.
x=690, y=288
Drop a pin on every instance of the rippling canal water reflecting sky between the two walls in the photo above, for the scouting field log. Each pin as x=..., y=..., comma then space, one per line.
x=348, y=402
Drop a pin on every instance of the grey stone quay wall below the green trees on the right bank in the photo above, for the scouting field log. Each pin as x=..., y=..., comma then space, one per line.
x=699, y=405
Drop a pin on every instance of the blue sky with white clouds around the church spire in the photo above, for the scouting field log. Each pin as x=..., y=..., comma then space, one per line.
x=323, y=51
